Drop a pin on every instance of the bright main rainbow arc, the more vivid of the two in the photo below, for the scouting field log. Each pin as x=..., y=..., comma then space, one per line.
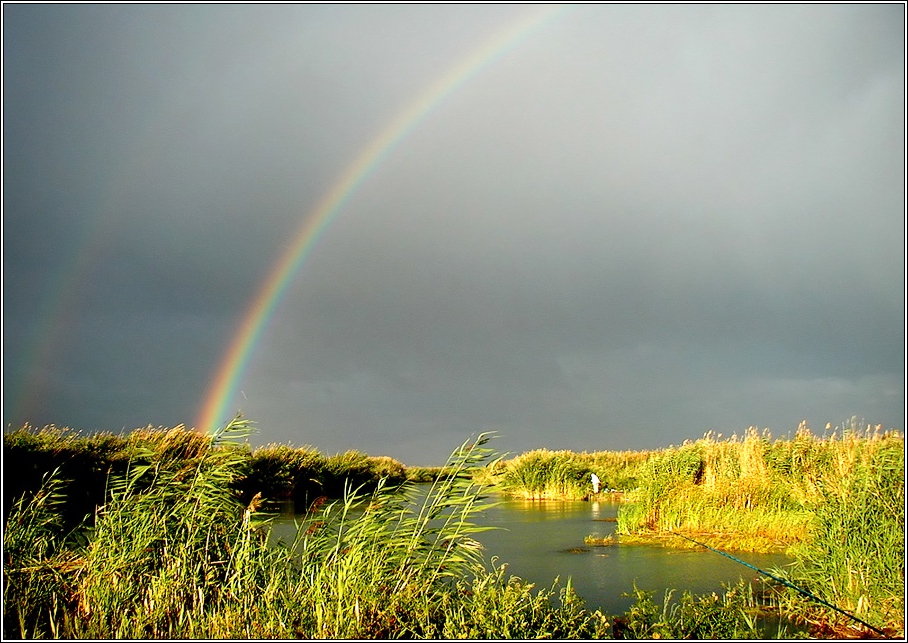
x=226, y=381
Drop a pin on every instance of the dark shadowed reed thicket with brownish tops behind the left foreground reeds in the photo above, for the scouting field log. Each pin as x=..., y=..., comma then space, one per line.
x=87, y=462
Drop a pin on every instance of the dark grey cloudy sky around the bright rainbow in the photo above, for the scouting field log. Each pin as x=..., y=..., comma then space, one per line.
x=636, y=224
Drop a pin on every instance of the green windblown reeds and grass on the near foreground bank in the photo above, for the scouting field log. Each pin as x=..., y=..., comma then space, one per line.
x=174, y=552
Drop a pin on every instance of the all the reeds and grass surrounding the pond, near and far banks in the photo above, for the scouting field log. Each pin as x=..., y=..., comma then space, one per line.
x=164, y=532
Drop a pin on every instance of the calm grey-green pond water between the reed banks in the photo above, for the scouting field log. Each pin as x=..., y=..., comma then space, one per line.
x=544, y=540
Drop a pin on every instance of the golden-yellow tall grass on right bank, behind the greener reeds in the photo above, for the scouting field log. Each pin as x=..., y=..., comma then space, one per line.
x=768, y=491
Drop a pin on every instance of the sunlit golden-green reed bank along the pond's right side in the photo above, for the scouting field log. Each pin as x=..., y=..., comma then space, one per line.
x=835, y=503
